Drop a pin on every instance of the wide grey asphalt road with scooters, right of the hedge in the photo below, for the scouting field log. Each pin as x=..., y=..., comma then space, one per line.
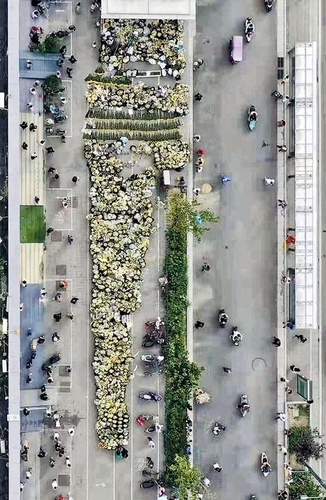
x=240, y=248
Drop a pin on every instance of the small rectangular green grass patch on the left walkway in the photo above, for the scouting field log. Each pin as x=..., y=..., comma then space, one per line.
x=32, y=224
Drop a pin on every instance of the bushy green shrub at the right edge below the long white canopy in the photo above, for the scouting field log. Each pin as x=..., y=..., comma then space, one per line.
x=304, y=442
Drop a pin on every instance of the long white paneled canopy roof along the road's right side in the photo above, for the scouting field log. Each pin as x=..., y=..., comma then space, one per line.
x=306, y=179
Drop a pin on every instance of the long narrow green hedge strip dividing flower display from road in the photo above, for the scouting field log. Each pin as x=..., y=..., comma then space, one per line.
x=182, y=376
